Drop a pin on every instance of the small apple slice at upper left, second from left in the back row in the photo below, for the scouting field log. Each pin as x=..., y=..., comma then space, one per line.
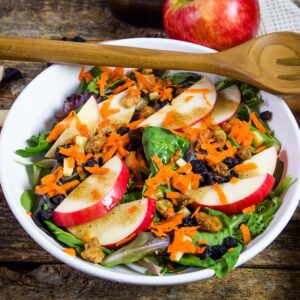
x=123, y=116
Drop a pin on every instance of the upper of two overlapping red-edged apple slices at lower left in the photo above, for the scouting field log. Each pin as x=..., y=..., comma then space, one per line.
x=80, y=206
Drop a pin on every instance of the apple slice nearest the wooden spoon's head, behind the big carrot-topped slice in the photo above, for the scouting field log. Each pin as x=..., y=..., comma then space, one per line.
x=228, y=102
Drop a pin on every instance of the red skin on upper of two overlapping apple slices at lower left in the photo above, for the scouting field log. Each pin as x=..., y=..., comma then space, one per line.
x=100, y=208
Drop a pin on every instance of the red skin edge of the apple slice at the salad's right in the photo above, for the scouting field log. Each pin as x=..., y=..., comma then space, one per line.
x=253, y=199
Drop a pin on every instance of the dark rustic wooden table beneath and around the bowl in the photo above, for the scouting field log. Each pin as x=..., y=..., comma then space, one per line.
x=28, y=271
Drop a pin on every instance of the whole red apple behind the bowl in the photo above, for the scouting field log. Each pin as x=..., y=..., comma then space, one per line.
x=217, y=24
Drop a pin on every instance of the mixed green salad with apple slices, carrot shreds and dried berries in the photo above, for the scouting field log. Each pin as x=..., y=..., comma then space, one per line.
x=164, y=169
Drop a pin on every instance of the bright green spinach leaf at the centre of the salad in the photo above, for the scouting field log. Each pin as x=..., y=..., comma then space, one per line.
x=161, y=142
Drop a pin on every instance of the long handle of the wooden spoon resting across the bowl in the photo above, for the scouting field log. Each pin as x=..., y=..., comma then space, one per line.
x=40, y=50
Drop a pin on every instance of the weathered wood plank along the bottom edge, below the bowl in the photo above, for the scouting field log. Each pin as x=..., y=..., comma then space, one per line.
x=62, y=282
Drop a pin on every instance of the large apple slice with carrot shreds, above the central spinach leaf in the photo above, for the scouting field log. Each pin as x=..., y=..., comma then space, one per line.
x=189, y=107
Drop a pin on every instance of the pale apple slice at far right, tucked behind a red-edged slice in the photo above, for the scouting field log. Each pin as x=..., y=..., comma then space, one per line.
x=265, y=161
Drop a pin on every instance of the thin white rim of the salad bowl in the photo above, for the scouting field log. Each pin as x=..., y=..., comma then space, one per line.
x=110, y=274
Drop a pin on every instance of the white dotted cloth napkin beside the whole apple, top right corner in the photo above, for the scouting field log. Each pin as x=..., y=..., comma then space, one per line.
x=279, y=15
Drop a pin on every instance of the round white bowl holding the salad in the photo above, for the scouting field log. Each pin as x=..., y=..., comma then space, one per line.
x=35, y=108
